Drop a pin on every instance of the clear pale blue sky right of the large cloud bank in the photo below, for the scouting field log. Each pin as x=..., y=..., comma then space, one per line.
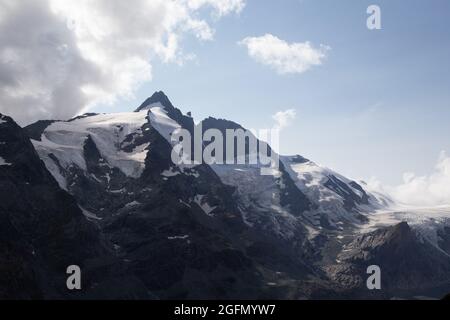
x=379, y=105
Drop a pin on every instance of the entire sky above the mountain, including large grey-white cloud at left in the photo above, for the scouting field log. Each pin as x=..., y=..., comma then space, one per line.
x=377, y=105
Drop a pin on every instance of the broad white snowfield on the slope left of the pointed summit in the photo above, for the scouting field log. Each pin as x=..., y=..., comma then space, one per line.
x=65, y=140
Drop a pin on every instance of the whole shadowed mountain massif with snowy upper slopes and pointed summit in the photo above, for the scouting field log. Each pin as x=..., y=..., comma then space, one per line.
x=101, y=191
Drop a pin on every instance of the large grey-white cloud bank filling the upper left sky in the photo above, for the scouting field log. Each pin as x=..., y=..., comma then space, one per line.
x=60, y=57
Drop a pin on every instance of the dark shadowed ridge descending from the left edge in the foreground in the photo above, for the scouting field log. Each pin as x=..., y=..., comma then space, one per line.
x=42, y=229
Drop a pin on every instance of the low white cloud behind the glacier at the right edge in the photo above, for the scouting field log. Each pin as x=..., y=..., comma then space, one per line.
x=422, y=191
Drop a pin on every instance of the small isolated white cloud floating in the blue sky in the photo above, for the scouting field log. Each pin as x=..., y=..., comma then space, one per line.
x=282, y=56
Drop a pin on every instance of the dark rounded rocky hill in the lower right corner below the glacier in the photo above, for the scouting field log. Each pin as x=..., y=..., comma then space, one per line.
x=408, y=263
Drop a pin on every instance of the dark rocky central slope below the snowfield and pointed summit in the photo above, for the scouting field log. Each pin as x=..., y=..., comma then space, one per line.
x=182, y=234
